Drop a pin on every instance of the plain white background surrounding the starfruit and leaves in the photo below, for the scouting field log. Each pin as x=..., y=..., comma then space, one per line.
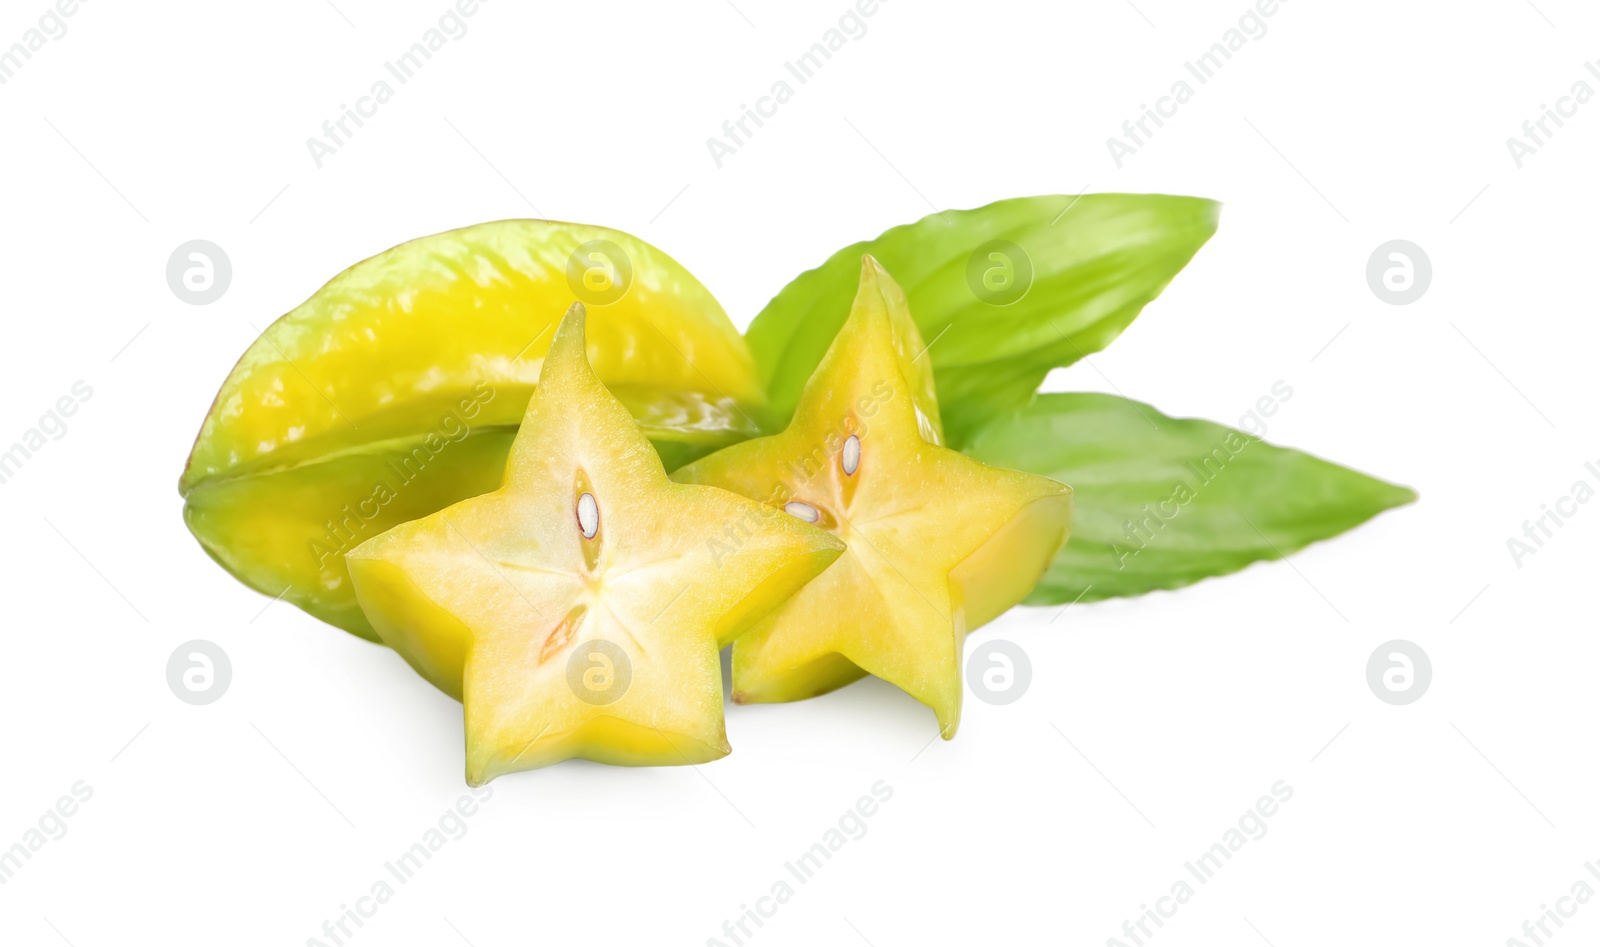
x=1449, y=821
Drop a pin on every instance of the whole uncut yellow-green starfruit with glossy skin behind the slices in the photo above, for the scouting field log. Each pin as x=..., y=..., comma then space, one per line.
x=398, y=390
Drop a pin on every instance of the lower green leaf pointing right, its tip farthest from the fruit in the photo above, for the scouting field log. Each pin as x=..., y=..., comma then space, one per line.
x=1164, y=503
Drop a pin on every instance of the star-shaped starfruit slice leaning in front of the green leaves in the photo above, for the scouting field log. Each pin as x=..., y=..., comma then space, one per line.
x=938, y=545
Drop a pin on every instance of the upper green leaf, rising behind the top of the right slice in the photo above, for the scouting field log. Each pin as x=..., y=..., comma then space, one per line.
x=993, y=330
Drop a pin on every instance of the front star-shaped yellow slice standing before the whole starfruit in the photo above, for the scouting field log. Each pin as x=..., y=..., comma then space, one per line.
x=578, y=610
